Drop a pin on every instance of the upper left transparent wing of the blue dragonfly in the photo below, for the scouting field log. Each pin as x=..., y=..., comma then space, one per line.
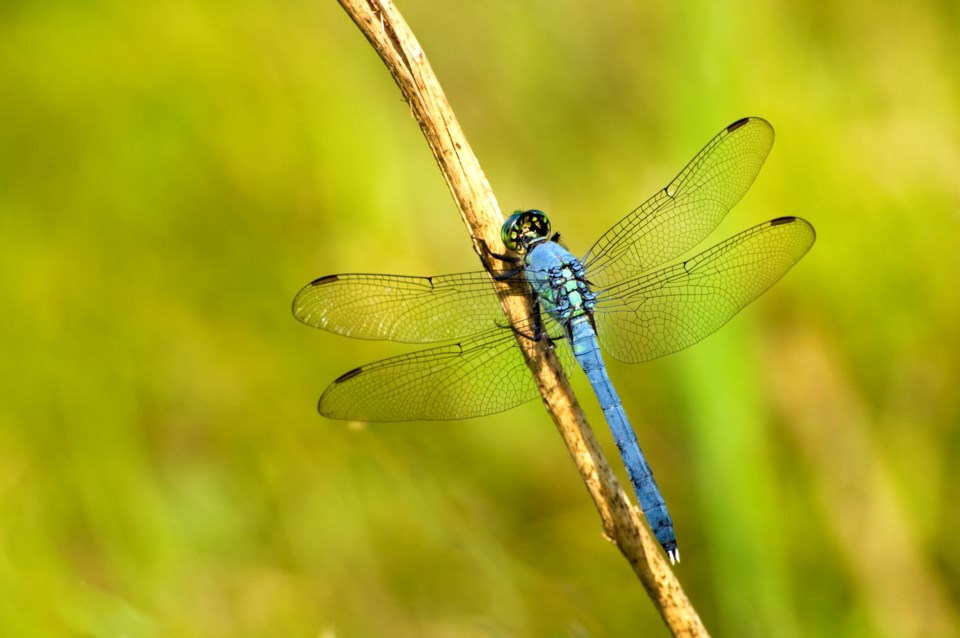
x=399, y=308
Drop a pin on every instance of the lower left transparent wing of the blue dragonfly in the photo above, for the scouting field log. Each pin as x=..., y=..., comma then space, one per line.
x=481, y=375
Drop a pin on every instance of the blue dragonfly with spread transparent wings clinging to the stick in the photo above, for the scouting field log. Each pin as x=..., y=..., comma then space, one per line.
x=617, y=296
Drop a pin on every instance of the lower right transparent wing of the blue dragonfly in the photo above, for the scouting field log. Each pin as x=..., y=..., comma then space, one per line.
x=668, y=310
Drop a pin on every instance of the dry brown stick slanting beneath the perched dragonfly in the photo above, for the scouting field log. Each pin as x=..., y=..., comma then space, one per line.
x=390, y=36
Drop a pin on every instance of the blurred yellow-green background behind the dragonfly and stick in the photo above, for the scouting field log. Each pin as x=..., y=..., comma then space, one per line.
x=172, y=172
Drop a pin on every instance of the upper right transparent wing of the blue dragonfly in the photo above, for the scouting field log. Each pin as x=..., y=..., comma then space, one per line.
x=681, y=215
